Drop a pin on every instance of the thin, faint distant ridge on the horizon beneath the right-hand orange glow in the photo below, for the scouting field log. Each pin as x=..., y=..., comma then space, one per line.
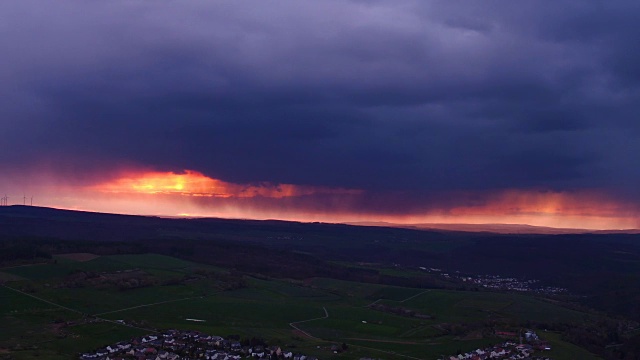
x=498, y=228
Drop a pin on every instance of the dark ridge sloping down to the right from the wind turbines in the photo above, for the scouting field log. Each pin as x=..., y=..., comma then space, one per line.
x=41, y=222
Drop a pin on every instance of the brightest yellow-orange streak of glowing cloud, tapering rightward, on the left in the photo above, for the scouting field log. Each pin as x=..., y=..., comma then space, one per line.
x=192, y=183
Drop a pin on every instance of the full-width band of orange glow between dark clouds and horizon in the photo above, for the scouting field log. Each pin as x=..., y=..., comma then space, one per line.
x=191, y=193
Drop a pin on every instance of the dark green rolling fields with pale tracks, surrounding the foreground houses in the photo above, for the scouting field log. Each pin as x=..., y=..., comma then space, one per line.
x=263, y=308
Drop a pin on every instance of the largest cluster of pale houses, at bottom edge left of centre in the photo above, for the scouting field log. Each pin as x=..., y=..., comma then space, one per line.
x=185, y=345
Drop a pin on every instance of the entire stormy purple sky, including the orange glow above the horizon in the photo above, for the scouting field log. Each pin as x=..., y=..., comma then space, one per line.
x=364, y=110
